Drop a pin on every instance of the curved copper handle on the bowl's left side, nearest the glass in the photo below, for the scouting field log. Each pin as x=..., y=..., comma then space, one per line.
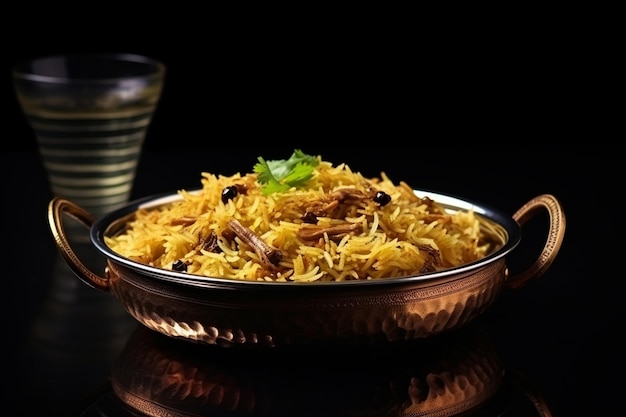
x=56, y=208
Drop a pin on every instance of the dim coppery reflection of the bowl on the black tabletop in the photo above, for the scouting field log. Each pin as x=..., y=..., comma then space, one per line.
x=451, y=374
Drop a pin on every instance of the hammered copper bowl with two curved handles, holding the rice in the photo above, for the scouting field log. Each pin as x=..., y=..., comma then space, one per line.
x=227, y=312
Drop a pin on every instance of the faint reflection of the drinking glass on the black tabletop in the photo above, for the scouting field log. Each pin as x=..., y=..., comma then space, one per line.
x=76, y=336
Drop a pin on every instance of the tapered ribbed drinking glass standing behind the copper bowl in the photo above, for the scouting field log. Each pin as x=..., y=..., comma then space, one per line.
x=90, y=114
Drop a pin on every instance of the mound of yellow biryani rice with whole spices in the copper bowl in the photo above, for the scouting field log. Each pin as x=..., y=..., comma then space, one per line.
x=408, y=236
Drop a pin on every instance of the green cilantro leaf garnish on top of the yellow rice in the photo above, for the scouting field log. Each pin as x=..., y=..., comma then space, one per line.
x=279, y=175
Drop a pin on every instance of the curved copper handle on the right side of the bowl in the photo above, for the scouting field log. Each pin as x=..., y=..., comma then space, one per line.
x=553, y=242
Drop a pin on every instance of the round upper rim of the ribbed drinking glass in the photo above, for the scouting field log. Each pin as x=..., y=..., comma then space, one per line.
x=154, y=68
